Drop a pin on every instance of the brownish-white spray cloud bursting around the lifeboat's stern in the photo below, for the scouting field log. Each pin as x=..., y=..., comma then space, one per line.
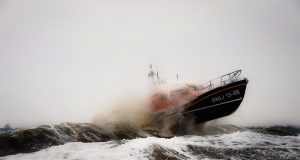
x=139, y=112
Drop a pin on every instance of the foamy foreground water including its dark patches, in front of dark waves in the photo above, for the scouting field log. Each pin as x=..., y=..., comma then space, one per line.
x=237, y=145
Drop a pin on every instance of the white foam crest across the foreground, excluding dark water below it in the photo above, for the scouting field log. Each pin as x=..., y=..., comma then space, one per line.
x=141, y=148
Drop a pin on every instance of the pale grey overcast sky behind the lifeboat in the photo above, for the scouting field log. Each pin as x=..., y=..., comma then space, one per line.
x=67, y=60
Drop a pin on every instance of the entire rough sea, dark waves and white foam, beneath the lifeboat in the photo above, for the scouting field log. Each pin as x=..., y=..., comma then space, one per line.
x=69, y=141
